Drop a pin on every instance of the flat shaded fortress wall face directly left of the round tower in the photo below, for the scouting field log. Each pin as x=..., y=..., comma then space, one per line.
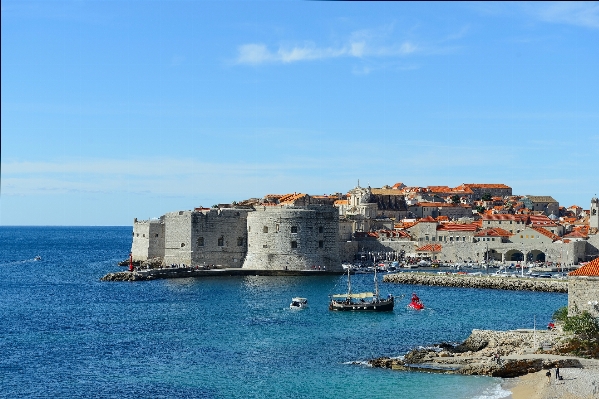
x=219, y=237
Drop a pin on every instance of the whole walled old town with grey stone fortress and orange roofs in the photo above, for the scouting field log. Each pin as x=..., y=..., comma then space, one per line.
x=468, y=223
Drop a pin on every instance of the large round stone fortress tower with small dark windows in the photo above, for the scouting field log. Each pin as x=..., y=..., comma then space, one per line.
x=296, y=238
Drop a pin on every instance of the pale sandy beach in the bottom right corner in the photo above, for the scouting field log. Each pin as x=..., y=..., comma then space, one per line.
x=576, y=384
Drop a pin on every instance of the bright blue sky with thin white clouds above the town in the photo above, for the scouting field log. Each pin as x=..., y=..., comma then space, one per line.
x=116, y=110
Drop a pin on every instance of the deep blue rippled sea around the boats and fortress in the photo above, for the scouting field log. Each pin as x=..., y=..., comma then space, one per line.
x=66, y=334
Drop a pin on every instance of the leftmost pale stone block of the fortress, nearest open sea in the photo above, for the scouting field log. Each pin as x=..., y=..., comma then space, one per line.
x=148, y=239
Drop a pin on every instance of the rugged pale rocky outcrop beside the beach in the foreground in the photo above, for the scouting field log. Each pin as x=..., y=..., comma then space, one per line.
x=520, y=352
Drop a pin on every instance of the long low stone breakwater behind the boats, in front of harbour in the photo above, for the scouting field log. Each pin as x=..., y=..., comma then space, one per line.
x=466, y=281
